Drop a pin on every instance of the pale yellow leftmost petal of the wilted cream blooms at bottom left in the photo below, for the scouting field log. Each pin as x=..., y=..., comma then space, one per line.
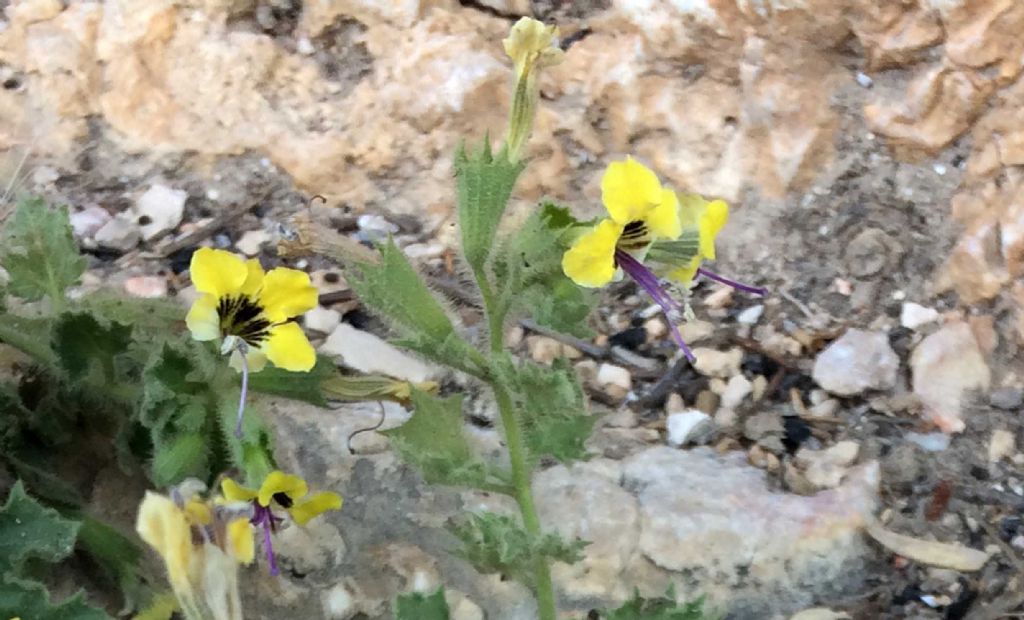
x=164, y=527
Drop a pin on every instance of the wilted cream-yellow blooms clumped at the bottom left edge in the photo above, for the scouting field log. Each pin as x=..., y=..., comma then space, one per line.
x=201, y=546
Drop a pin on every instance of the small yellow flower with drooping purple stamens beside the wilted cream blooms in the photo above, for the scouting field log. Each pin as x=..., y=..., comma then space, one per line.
x=280, y=491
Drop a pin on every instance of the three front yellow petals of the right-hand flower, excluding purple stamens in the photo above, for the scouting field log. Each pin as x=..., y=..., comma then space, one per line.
x=641, y=212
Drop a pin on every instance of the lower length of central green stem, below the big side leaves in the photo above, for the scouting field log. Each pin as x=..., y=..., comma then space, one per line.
x=525, y=498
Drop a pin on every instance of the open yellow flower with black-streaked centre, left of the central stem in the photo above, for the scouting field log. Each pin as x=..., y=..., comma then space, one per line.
x=242, y=303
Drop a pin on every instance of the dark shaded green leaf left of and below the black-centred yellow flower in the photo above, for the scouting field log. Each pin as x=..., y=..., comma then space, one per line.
x=84, y=347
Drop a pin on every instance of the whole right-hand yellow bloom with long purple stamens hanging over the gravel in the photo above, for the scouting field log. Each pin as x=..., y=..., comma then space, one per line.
x=648, y=223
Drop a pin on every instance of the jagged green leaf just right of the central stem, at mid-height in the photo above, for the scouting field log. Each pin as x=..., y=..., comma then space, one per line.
x=550, y=407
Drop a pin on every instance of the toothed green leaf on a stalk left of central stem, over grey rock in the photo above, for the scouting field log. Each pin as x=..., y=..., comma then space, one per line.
x=433, y=441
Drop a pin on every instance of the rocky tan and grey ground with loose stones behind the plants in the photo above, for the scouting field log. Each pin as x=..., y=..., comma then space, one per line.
x=872, y=152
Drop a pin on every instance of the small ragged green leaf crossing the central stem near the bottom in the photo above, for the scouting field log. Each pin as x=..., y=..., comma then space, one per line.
x=497, y=544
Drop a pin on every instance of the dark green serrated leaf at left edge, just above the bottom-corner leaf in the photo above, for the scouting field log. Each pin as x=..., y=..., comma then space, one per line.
x=30, y=530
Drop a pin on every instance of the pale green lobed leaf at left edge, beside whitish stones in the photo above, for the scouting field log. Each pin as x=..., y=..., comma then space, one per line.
x=39, y=253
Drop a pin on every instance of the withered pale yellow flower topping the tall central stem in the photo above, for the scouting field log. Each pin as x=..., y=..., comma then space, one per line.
x=532, y=46
